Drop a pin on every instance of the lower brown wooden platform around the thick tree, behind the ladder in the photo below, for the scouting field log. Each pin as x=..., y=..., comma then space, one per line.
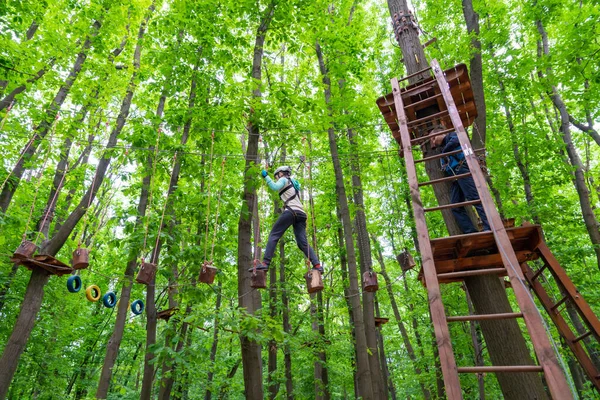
x=479, y=251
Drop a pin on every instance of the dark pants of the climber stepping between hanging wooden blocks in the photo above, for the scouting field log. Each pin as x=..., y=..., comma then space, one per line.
x=286, y=219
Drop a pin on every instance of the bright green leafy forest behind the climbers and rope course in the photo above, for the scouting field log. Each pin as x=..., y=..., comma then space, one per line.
x=143, y=114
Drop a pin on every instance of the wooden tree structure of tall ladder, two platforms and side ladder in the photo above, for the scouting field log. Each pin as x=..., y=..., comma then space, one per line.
x=413, y=112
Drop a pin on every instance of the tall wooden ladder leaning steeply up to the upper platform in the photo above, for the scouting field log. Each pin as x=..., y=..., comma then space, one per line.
x=555, y=379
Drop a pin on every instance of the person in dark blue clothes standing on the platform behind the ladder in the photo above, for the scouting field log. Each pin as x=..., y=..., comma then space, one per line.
x=462, y=189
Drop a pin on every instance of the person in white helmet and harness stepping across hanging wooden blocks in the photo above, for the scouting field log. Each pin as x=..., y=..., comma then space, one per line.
x=293, y=214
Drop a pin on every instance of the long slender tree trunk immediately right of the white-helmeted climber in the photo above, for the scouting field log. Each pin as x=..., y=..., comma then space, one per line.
x=365, y=383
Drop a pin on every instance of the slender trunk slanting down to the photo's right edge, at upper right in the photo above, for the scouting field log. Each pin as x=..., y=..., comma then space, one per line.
x=589, y=218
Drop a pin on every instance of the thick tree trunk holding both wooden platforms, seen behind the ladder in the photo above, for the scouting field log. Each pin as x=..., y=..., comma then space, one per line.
x=488, y=294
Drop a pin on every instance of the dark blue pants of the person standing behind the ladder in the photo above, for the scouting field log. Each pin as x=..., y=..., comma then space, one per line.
x=462, y=190
